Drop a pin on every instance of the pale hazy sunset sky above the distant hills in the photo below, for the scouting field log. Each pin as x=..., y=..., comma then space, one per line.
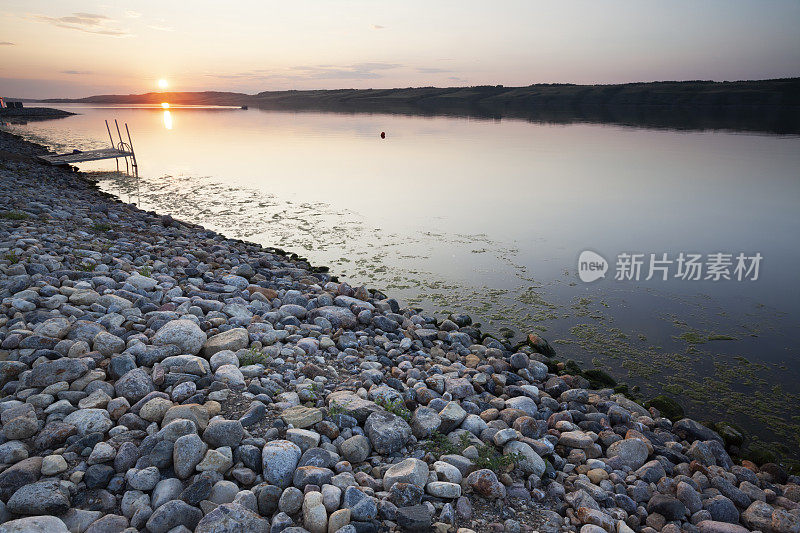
x=73, y=48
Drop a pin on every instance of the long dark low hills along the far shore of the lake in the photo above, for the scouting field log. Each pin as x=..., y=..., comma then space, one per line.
x=761, y=105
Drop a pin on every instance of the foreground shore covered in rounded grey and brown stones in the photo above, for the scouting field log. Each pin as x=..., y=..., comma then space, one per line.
x=159, y=377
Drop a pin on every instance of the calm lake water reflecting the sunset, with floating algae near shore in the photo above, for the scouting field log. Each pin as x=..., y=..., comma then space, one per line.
x=489, y=217
